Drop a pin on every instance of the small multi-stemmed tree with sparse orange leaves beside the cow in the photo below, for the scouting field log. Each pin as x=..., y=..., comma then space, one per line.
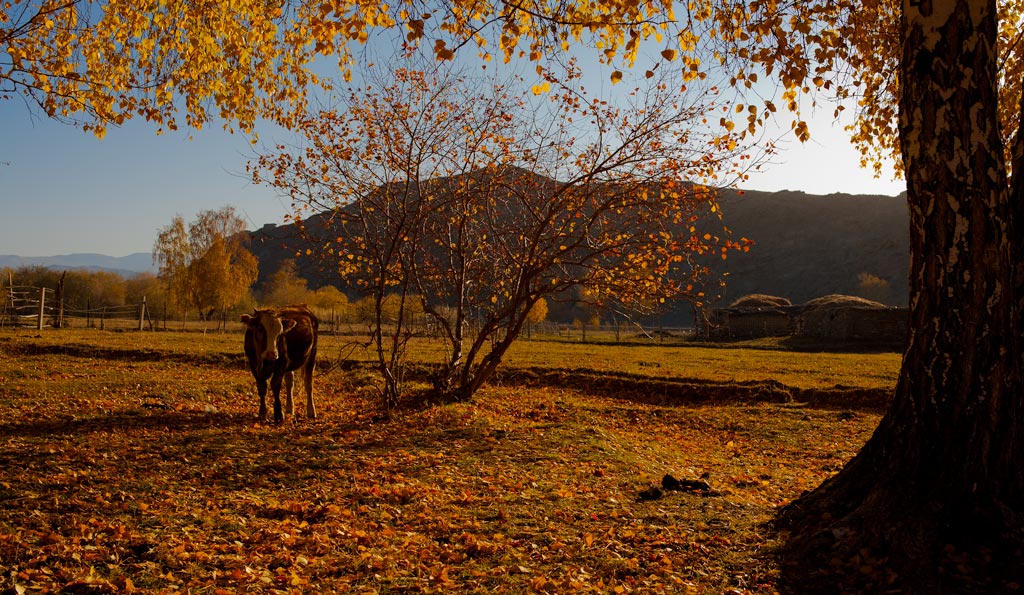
x=476, y=202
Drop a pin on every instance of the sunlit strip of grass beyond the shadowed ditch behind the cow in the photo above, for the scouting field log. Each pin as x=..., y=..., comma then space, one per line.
x=736, y=363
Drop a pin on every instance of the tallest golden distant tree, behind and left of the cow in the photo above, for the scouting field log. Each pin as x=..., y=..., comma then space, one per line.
x=206, y=269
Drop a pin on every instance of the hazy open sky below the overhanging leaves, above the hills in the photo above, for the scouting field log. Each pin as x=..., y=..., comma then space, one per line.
x=63, y=191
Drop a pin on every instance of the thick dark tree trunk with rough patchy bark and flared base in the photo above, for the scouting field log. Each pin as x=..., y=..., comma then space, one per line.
x=933, y=503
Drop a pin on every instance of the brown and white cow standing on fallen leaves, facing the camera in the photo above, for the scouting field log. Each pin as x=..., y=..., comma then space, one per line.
x=279, y=342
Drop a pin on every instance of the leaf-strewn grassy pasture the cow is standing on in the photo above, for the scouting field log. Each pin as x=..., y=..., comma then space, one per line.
x=133, y=463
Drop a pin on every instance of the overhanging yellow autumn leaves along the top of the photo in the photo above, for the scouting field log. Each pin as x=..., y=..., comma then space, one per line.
x=102, y=64
